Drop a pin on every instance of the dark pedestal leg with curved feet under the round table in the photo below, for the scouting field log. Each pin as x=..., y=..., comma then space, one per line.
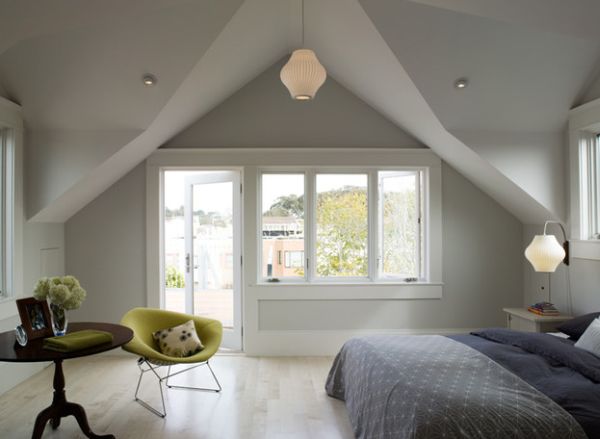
x=60, y=408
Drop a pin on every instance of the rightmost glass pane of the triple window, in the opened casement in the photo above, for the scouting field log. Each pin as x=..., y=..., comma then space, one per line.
x=400, y=226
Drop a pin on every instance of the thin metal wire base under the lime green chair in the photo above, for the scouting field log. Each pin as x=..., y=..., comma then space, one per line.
x=146, y=365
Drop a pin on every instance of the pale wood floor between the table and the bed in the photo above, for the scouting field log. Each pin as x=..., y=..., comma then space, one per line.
x=261, y=398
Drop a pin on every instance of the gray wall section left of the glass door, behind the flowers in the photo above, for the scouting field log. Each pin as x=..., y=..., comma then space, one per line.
x=106, y=249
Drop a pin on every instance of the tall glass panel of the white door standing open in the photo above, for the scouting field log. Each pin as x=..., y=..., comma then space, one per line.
x=212, y=233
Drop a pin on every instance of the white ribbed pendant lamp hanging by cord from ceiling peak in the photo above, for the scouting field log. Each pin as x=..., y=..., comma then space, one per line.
x=303, y=74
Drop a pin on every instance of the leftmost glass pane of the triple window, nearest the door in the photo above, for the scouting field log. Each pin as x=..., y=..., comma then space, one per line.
x=283, y=226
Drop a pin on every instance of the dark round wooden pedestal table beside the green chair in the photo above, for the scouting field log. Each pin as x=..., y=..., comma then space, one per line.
x=34, y=352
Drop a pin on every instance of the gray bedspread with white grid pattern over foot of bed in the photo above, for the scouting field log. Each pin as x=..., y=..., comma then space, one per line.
x=433, y=387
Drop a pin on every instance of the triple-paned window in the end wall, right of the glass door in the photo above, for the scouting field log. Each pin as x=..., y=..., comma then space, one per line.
x=351, y=226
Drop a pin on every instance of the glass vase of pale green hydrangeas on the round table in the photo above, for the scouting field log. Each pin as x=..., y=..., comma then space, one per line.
x=63, y=294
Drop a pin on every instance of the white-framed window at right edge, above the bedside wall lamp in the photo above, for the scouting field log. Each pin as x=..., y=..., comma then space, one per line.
x=589, y=173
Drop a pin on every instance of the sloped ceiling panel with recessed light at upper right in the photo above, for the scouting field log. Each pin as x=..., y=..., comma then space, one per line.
x=522, y=77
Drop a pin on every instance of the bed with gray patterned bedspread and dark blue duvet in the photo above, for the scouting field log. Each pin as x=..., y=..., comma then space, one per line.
x=494, y=383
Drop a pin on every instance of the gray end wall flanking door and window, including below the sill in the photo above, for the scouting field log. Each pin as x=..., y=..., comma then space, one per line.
x=482, y=257
